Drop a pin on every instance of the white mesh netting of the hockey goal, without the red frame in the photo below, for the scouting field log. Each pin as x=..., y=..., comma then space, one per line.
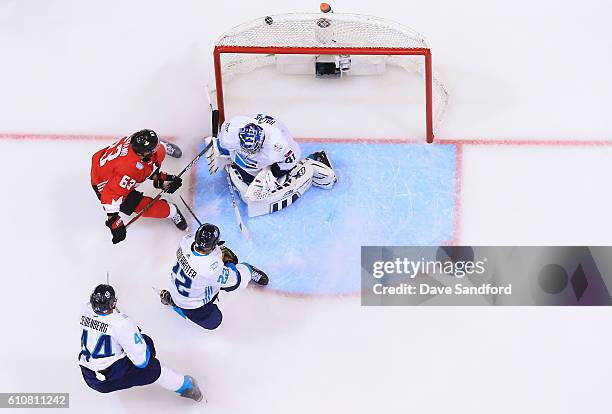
x=317, y=30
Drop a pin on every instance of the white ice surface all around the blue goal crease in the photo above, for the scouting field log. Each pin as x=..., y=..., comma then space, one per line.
x=516, y=70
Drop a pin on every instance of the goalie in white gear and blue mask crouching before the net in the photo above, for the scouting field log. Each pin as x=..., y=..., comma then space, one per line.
x=261, y=154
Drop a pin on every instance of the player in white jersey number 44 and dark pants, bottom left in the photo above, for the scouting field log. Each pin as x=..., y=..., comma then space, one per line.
x=115, y=355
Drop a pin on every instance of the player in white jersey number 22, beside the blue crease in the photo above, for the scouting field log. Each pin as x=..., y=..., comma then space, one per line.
x=203, y=268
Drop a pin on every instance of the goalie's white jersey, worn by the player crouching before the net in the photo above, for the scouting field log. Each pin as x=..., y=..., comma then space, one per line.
x=278, y=146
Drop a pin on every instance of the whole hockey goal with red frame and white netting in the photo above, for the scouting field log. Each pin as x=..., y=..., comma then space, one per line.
x=328, y=45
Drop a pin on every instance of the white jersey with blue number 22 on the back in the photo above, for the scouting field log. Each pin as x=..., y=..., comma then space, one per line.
x=196, y=278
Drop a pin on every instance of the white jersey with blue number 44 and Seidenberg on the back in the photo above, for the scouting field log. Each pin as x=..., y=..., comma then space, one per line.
x=108, y=338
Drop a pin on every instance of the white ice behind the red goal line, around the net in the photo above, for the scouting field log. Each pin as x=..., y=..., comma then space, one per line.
x=514, y=69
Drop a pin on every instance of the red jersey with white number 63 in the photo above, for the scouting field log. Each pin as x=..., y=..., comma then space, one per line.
x=117, y=169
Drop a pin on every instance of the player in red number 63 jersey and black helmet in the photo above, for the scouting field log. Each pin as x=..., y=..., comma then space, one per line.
x=117, y=170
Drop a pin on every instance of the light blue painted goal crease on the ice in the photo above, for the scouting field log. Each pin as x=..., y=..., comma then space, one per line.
x=387, y=194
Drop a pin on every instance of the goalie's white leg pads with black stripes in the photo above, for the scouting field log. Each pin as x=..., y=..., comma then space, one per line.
x=265, y=195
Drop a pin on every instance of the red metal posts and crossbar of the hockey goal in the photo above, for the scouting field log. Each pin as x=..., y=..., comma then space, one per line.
x=425, y=52
